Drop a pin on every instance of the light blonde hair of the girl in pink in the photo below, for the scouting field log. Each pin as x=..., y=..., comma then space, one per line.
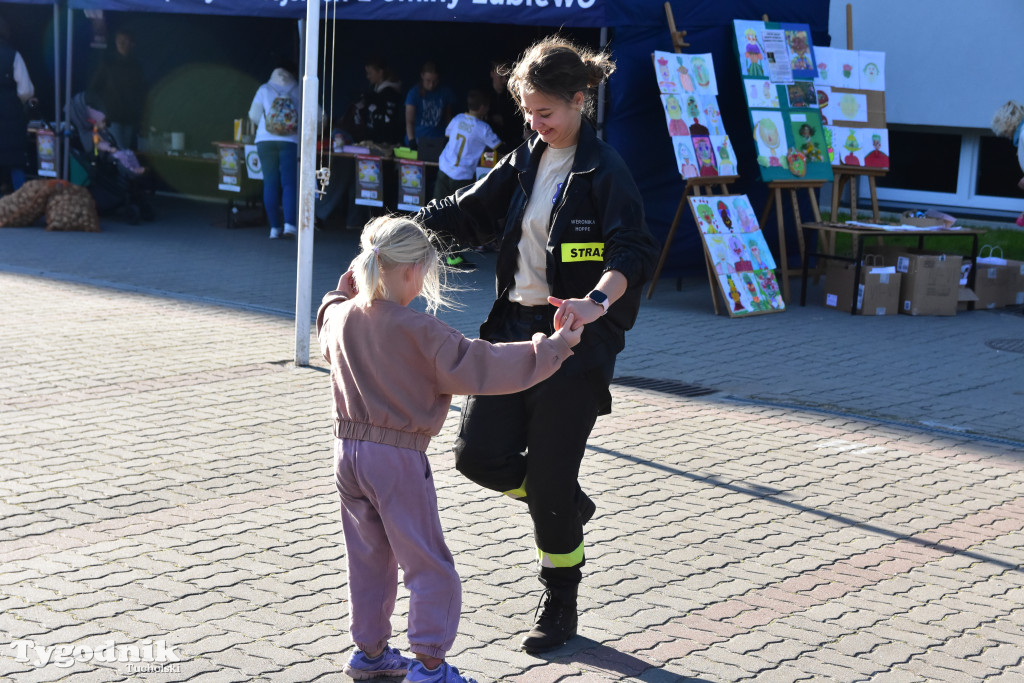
x=391, y=241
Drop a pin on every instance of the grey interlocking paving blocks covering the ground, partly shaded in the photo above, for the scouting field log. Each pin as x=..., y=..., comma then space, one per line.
x=848, y=504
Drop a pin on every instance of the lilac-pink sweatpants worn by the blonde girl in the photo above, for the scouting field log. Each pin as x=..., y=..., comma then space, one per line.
x=390, y=516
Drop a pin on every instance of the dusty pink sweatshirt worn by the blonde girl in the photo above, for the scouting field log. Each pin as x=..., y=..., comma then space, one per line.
x=394, y=370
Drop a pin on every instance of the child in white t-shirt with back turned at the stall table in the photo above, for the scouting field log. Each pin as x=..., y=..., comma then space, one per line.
x=468, y=137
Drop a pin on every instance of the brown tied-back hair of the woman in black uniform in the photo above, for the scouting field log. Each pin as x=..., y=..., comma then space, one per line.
x=559, y=68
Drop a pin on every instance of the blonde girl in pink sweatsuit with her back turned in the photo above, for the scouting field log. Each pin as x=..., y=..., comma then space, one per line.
x=394, y=371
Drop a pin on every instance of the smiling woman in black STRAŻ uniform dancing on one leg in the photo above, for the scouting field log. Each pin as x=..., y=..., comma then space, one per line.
x=573, y=235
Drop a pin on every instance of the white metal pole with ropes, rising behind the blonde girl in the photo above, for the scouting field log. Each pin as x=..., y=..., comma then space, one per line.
x=308, y=186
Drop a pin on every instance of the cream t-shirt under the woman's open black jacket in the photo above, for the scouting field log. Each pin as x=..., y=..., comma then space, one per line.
x=531, y=288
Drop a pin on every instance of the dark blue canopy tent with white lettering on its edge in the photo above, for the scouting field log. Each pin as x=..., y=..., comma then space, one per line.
x=634, y=121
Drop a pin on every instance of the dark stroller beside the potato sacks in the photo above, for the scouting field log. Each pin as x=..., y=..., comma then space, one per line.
x=113, y=177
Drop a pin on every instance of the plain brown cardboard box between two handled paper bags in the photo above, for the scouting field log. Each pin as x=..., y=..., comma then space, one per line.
x=931, y=284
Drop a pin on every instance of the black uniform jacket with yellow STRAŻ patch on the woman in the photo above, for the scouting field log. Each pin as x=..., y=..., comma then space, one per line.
x=598, y=225
